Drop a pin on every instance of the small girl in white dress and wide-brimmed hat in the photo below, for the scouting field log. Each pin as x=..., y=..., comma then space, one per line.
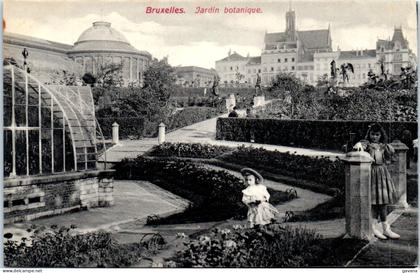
x=256, y=197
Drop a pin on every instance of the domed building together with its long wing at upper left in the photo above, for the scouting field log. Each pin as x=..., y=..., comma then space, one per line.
x=96, y=48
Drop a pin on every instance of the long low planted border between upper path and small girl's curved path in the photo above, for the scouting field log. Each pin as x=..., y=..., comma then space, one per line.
x=319, y=174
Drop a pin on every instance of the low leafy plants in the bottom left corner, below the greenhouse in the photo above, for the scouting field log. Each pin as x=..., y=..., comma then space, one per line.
x=59, y=248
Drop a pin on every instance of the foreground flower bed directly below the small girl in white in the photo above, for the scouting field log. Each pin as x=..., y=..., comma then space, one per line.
x=272, y=246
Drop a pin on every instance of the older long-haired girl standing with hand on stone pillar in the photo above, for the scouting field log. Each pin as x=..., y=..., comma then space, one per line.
x=383, y=192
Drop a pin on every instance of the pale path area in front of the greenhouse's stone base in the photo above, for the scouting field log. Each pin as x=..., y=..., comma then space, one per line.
x=134, y=201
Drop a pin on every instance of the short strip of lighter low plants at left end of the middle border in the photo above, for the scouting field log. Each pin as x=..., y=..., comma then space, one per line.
x=193, y=150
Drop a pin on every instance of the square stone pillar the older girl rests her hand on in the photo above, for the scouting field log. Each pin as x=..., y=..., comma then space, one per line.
x=358, y=203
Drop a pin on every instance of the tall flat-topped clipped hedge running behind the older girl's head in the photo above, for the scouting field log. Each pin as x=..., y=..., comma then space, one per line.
x=318, y=134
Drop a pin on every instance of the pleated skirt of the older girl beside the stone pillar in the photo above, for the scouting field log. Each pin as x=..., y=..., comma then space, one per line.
x=383, y=191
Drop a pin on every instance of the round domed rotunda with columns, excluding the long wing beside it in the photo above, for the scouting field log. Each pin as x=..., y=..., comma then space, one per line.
x=101, y=45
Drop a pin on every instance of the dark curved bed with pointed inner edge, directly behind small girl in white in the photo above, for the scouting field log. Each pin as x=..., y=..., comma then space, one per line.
x=216, y=195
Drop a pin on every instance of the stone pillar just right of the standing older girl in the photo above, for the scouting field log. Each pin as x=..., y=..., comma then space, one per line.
x=398, y=171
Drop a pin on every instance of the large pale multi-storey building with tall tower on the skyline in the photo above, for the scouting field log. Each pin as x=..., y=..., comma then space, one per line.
x=308, y=55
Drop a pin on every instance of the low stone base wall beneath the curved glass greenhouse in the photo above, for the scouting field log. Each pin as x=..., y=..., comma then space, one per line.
x=27, y=198
